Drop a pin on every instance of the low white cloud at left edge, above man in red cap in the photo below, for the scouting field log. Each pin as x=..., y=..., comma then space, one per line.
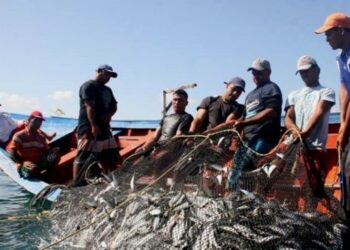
x=14, y=103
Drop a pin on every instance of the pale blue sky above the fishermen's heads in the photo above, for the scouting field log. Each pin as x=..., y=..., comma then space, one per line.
x=49, y=48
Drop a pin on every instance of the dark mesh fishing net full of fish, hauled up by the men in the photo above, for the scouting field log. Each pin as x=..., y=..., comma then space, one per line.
x=178, y=197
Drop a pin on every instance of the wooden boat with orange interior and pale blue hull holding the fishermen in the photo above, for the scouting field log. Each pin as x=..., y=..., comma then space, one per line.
x=133, y=135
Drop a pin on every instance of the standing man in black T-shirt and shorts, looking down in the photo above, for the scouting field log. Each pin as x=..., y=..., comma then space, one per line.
x=97, y=106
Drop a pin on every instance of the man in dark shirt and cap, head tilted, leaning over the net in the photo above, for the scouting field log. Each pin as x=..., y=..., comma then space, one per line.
x=214, y=111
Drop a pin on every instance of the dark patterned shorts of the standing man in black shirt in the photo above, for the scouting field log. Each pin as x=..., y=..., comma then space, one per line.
x=104, y=151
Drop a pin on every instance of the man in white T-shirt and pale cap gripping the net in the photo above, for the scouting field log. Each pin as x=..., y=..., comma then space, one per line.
x=307, y=112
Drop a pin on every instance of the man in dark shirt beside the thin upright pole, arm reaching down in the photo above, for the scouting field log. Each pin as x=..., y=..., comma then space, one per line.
x=172, y=125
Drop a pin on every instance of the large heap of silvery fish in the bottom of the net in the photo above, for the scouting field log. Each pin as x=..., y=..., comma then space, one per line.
x=103, y=217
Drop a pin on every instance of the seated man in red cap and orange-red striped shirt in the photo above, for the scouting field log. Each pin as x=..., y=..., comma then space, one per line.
x=29, y=149
